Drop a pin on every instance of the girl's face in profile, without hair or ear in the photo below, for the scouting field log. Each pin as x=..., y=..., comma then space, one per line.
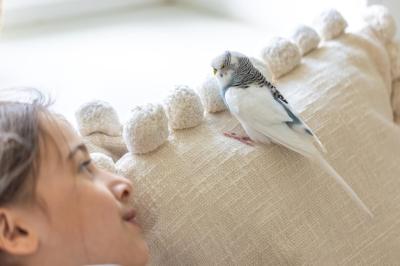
x=86, y=217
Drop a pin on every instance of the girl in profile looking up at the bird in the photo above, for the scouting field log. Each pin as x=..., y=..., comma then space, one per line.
x=56, y=206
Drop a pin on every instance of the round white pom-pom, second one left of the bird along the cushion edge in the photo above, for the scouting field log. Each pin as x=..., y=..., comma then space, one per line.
x=184, y=108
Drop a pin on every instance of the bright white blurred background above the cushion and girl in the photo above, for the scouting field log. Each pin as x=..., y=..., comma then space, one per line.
x=130, y=52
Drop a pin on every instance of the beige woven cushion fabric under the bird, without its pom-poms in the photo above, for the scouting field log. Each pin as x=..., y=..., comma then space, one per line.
x=210, y=200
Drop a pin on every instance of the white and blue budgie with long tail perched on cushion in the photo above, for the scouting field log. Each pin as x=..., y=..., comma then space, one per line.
x=266, y=115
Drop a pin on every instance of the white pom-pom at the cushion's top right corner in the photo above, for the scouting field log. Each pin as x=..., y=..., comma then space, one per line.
x=380, y=19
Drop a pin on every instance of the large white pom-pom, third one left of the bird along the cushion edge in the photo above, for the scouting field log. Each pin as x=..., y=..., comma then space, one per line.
x=147, y=129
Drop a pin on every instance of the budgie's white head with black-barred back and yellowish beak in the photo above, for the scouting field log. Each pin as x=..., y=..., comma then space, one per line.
x=225, y=66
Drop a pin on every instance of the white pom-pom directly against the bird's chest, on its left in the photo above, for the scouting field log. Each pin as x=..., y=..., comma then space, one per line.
x=210, y=95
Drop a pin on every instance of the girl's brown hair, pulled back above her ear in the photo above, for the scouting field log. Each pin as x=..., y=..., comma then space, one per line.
x=20, y=133
